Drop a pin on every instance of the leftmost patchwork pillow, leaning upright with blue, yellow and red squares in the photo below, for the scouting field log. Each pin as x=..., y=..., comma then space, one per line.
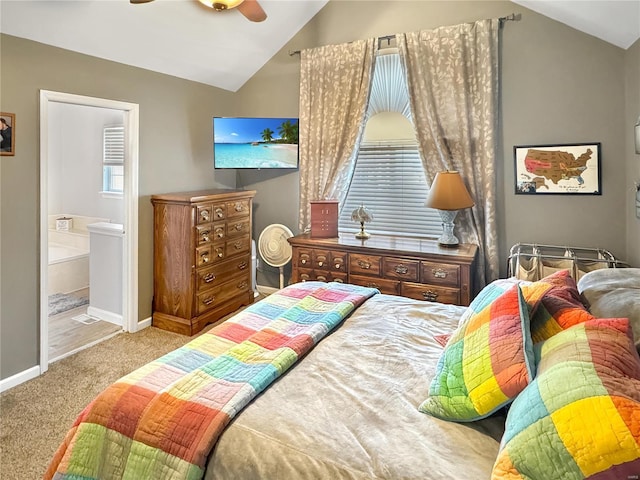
x=488, y=359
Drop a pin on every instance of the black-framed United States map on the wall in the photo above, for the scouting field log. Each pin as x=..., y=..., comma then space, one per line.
x=558, y=169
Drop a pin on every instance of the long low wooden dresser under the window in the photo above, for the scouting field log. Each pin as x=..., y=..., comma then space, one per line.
x=412, y=267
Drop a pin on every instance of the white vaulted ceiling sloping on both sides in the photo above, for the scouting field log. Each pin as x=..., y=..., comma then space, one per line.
x=186, y=39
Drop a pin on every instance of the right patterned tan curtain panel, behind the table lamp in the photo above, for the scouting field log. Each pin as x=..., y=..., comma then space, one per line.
x=452, y=74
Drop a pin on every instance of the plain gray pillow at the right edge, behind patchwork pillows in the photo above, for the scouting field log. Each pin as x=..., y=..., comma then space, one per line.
x=612, y=293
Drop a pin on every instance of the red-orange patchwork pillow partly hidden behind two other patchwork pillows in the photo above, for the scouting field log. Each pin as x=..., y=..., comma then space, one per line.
x=560, y=308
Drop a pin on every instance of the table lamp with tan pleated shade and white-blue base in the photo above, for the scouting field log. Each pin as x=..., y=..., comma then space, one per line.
x=448, y=195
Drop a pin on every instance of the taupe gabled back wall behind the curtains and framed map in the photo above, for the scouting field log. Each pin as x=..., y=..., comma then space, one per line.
x=559, y=85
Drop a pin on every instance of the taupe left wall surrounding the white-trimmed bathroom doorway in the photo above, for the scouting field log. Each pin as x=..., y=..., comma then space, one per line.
x=175, y=154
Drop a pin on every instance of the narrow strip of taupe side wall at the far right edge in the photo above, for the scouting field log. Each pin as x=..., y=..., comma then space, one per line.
x=632, y=112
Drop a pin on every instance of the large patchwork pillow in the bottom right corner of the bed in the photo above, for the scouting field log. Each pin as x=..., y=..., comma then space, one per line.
x=580, y=417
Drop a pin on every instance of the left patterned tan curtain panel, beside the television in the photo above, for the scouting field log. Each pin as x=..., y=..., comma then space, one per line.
x=334, y=93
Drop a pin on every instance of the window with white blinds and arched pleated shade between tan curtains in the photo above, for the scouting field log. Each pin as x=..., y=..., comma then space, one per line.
x=389, y=177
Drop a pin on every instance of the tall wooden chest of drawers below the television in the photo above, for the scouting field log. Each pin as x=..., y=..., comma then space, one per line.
x=201, y=257
